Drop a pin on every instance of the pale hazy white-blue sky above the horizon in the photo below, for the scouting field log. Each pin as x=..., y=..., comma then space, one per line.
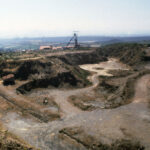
x=62, y=17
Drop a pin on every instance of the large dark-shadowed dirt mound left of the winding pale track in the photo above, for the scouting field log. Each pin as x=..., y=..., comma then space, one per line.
x=50, y=73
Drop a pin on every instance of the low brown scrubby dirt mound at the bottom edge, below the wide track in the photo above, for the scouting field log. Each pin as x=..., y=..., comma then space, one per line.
x=78, y=135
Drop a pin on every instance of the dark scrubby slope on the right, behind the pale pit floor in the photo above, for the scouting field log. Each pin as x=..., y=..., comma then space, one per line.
x=129, y=53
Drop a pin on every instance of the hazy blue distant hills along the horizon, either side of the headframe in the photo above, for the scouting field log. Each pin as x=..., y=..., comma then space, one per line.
x=35, y=43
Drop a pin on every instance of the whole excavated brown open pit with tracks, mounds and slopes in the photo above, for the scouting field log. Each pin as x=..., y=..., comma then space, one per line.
x=96, y=99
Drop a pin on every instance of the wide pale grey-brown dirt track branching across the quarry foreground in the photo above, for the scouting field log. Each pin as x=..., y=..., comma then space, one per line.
x=131, y=121
